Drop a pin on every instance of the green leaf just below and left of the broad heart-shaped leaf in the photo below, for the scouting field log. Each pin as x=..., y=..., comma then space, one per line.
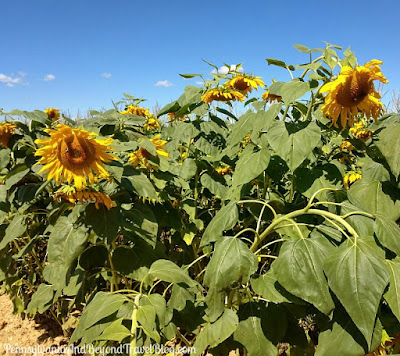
x=250, y=165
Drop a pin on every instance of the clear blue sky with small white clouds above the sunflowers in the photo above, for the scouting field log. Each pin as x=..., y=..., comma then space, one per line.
x=80, y=55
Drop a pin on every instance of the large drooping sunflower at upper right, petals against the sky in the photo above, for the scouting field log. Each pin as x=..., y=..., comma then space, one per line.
x=353, y=92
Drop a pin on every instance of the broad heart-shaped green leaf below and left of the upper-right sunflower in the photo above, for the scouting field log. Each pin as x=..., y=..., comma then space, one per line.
x=295, y=147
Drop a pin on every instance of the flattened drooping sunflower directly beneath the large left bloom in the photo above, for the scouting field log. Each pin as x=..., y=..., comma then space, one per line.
x=86, y=196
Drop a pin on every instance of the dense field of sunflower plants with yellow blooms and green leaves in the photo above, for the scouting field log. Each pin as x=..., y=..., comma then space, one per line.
x=272, y=232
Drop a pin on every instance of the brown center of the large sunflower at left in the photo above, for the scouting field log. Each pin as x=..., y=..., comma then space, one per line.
x=76, y=151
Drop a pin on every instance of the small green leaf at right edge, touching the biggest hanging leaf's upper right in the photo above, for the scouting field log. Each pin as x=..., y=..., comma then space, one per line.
x=387, y=231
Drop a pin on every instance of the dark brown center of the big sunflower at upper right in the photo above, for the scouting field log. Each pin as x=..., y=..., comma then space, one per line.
x=354, y=90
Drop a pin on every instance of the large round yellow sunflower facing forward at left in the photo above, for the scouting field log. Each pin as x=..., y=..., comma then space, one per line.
x=72, y=154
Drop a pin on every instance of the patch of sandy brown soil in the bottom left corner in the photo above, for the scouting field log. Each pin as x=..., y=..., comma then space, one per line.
x=15, y=332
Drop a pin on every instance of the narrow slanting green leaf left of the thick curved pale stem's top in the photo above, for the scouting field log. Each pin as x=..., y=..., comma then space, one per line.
x=225, y=219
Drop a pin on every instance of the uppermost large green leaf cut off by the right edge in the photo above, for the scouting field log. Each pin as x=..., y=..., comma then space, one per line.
x=388, y=138
